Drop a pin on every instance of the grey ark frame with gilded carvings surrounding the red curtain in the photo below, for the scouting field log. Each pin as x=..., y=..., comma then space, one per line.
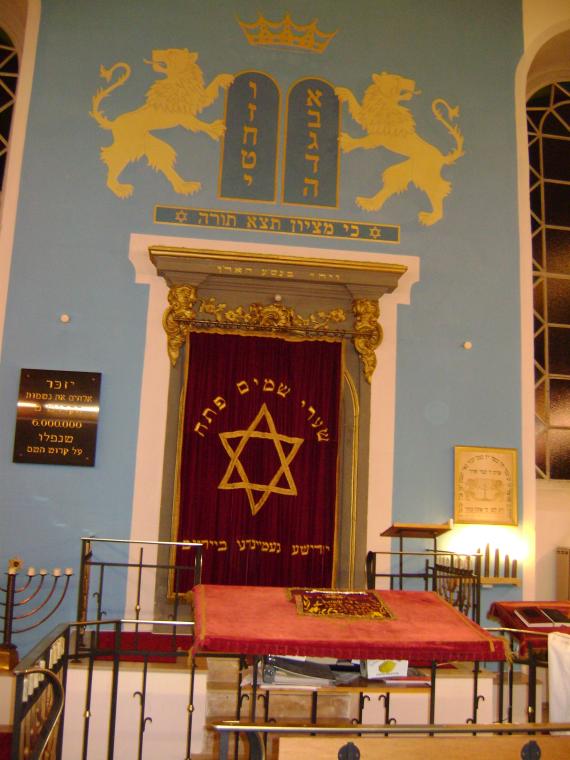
x=281, y=294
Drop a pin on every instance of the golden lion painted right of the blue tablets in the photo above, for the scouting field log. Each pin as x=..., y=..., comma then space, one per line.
x=390, y=125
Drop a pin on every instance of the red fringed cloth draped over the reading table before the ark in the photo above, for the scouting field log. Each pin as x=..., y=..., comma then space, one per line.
x=262, y=620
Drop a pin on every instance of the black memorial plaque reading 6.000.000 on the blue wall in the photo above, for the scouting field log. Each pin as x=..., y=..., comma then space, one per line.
x=57, y=416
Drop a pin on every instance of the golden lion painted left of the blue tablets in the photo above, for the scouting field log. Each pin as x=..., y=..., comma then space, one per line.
x=174, y=101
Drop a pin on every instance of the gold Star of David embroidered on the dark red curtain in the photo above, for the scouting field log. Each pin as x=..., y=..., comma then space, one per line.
x=242, y=437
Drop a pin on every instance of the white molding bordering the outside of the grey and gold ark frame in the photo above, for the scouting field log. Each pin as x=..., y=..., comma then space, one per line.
x=156, y=373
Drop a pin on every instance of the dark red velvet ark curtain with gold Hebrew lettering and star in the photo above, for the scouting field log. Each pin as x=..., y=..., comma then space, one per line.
x=258, y=459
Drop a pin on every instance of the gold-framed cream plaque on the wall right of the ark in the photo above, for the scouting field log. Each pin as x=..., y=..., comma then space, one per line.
x=485, y=485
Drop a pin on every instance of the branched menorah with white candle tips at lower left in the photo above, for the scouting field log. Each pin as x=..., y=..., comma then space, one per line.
x=34, y=601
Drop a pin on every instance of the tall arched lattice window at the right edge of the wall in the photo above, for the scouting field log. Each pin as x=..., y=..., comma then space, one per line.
x=548, y=119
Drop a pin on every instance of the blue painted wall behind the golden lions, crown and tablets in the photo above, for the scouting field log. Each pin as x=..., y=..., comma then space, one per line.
x=72, y=234
